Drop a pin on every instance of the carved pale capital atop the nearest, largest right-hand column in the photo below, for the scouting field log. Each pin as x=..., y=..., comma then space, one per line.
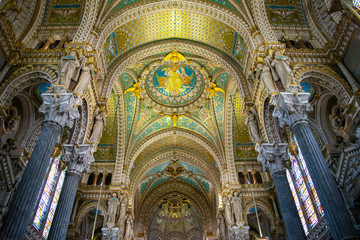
x=291, y=108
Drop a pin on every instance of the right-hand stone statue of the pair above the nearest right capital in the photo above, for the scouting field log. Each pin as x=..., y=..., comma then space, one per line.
x=282, y=67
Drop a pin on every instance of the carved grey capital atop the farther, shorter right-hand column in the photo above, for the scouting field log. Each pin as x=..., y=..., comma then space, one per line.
x=273, y=157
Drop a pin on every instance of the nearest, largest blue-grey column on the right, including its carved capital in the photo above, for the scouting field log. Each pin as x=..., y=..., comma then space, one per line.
x=290, y=109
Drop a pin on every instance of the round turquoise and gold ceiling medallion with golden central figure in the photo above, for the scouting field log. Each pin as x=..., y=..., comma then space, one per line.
x=174, y=85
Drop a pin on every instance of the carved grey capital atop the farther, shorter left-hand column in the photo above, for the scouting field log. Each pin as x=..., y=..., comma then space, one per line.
x=78, y=157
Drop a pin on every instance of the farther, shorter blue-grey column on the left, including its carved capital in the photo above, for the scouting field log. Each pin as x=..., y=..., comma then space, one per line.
x=78, y=159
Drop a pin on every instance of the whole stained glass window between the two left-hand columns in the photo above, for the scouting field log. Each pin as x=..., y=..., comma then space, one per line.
x=49, y=198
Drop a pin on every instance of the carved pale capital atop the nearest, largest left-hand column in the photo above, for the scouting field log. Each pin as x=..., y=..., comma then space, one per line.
x=59, y=107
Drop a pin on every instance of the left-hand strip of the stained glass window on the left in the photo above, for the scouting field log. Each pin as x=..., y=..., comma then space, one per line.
x=45, y=196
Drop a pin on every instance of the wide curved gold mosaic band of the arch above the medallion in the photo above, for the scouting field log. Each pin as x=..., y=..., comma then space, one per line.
x=174, y=24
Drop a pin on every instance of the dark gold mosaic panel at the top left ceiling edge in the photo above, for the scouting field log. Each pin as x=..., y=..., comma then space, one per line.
x=63, y=12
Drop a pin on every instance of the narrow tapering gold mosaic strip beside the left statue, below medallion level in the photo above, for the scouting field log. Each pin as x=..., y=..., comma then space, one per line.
x=106, y=148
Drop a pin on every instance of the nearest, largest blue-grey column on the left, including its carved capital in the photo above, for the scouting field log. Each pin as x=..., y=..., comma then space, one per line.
x=59, y=112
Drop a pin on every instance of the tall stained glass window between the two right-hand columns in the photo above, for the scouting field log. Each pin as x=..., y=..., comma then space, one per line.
x=303, y=191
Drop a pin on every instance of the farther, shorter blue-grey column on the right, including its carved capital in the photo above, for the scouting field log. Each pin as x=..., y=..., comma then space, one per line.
x=272, y=157
